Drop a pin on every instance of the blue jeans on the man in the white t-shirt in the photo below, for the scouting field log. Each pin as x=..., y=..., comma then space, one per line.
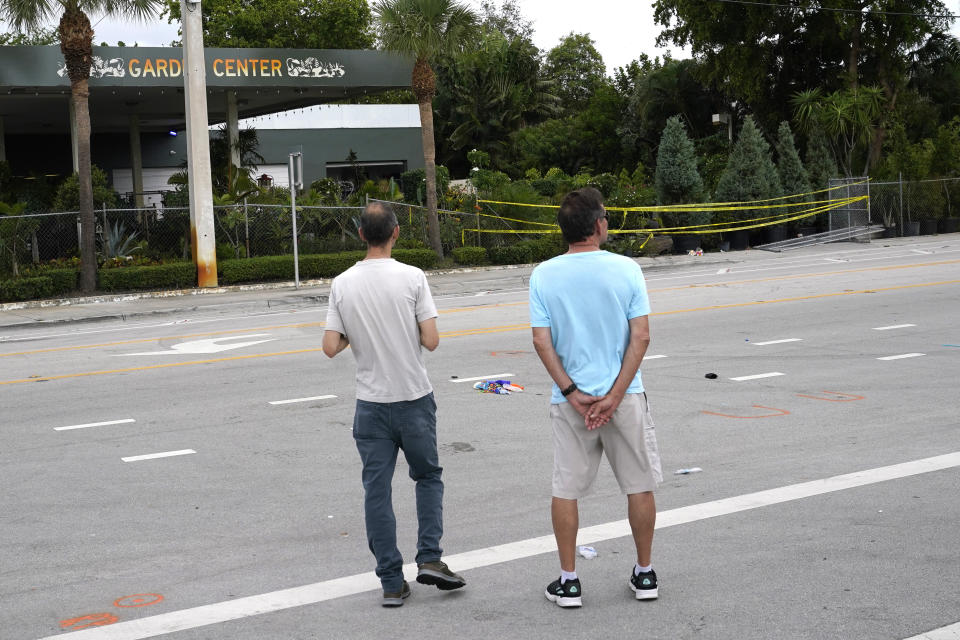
x=380, y=431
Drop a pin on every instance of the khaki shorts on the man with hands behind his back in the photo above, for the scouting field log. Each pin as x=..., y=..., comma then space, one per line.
x=628, y=440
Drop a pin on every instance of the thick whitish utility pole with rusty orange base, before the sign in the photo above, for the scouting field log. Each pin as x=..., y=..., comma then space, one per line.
x=202, y=237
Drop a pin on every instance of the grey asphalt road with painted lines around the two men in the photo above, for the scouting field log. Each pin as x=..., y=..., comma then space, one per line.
x=183, y=466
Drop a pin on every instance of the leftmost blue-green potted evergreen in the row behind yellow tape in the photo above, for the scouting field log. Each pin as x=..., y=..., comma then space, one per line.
x=677, y=180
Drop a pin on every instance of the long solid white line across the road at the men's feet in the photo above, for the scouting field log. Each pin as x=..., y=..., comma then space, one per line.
x=238, y=608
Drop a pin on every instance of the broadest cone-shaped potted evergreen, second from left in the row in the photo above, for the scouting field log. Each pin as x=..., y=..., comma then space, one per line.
x=750, y=173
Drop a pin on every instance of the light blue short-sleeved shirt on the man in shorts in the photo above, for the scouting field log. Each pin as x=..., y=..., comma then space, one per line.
x=587, y=300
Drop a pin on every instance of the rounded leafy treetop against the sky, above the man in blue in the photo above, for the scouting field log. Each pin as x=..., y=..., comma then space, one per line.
x=577, y=68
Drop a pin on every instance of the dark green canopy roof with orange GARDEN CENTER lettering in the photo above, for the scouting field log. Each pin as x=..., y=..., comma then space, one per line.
x=147, y=82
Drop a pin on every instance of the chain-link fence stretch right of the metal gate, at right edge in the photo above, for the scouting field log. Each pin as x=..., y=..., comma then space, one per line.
x=921, y=207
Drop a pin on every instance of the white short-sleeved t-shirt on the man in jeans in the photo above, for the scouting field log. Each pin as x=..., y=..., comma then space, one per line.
x=378, y=305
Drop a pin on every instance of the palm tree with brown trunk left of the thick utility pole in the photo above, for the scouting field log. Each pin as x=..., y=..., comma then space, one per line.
x=76, y=43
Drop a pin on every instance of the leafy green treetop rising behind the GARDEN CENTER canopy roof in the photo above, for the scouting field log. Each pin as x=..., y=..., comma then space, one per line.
x=285, y=24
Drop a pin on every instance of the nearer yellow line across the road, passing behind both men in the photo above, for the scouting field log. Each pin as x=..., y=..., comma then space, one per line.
x=485, y=330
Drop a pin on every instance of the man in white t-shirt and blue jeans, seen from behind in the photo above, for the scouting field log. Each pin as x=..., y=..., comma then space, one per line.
x=383, y=310
